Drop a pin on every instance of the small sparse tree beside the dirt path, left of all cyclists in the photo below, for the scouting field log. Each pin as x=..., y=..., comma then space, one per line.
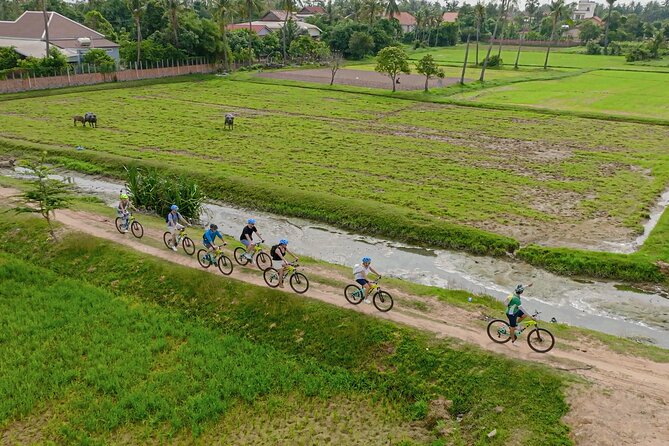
x=46, y=195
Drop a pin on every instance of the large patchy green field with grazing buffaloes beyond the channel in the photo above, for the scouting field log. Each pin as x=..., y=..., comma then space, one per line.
x=328, y=155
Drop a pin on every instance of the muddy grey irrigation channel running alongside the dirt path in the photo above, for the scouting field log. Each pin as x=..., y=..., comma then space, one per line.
x=596, y=305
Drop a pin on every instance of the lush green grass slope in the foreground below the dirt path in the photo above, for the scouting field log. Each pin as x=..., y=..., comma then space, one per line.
x=135, y=345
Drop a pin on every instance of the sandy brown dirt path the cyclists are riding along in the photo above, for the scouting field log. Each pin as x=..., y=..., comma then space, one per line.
x=626, y=399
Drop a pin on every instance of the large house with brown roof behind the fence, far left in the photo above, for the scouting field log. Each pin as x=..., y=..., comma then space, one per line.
x=27, y=35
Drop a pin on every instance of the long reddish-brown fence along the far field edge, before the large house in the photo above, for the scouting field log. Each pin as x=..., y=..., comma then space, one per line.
x=25, y=81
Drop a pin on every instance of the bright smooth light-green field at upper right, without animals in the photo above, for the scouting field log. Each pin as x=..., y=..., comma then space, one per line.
x=610, y=92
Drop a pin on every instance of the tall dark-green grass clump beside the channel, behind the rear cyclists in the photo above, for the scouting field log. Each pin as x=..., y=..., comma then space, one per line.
x=154, y=191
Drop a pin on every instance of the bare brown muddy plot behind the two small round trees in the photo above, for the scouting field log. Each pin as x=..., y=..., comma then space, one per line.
x=360, y=78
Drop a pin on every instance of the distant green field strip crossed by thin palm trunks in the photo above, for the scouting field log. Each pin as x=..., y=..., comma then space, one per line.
x=534, y=56
